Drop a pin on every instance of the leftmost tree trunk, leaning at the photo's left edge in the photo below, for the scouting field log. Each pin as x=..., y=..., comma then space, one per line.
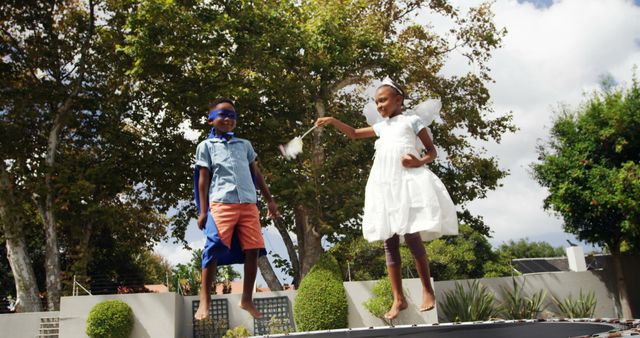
x=19, y=261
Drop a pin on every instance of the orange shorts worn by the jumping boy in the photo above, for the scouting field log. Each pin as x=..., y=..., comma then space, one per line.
x=244, y=217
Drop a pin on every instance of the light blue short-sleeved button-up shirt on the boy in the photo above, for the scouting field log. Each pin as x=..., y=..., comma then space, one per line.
x=228, y=162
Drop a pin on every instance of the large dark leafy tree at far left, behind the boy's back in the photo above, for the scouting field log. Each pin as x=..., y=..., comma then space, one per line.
x=75, y=146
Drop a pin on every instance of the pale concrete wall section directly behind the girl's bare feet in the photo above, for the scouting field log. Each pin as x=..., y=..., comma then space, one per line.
x=359, y=316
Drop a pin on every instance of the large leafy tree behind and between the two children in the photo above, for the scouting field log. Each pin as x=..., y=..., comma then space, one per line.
x=288, y=63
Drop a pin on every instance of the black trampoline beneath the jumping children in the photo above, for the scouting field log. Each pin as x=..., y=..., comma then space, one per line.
x=493, y=329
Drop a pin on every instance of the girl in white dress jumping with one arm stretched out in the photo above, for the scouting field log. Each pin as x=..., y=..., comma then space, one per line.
x=402, y=196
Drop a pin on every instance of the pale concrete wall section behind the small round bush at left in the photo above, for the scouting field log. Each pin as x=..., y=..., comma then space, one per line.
x=156, y=314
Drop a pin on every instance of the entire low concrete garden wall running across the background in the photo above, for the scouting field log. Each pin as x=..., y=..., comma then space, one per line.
x=170, y=315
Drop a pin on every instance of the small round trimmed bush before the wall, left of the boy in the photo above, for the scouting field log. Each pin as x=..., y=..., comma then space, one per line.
x=110, y=319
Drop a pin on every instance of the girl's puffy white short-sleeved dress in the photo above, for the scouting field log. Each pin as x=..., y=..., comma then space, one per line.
x=400, y=200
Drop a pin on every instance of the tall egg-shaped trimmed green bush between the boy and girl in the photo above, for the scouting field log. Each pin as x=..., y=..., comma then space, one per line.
x=321, y=302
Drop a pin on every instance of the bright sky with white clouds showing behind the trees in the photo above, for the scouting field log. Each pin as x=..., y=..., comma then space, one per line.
x=555, y=53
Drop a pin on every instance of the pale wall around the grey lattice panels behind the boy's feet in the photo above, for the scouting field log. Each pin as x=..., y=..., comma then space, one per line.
x=237, y=316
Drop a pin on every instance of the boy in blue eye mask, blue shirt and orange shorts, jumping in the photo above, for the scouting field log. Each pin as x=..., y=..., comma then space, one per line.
x=227, y=167
